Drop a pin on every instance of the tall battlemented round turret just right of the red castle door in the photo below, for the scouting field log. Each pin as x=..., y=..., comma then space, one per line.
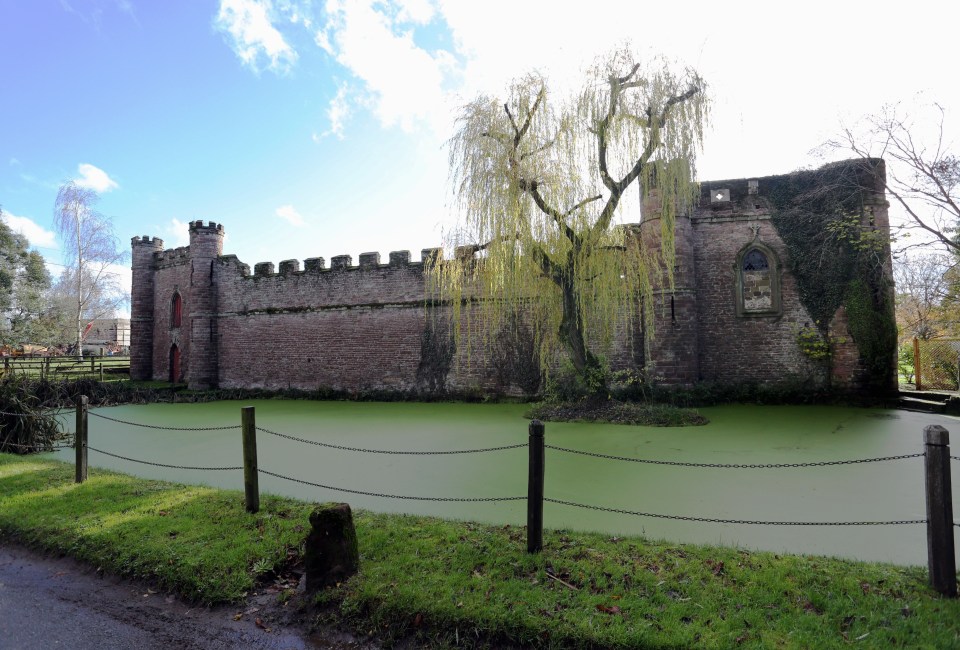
x=206, y=245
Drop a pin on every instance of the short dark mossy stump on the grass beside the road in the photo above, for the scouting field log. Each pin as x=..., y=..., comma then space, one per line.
x=331, y=555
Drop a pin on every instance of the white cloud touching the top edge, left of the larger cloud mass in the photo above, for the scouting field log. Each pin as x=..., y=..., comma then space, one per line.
x=249, y=26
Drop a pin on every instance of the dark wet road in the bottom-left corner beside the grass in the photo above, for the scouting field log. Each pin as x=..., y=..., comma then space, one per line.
x=58, y=602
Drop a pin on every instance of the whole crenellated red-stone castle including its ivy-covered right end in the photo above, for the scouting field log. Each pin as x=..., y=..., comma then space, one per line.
x=741, y=300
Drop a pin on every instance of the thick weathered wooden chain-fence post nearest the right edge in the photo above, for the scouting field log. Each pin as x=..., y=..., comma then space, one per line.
x=941, y=562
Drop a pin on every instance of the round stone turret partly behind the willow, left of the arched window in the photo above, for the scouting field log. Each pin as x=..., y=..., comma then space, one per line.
x=672, y=351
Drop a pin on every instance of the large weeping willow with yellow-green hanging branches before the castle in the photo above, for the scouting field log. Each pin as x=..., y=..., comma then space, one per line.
x=540, y=180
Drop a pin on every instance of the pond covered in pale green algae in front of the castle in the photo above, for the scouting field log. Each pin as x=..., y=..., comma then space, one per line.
x=882, y=491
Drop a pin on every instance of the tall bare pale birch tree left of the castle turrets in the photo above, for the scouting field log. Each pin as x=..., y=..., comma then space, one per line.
x=90, y=249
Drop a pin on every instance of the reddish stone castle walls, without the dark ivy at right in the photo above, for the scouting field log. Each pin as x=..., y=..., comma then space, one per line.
x=370, y=327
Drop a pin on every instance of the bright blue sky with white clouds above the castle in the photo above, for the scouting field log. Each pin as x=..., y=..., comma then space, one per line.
x=314, y=128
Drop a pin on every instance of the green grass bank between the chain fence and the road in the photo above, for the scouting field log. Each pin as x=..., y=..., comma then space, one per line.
x=450, y=582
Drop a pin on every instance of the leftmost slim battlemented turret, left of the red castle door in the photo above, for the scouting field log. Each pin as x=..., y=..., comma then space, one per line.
x=141, y=306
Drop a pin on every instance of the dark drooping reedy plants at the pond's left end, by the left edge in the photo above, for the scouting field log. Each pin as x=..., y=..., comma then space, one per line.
x=26, y=425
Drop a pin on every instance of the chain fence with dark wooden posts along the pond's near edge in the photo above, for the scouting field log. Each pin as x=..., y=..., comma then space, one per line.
x=535, y=497
